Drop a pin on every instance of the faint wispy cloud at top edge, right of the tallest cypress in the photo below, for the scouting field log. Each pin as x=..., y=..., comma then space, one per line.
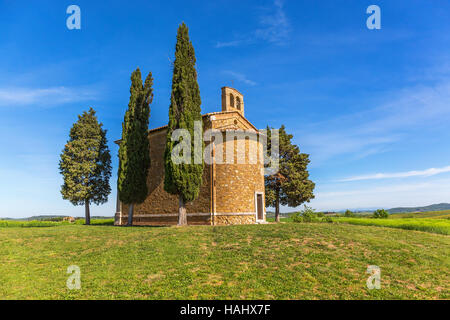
x=274, y=27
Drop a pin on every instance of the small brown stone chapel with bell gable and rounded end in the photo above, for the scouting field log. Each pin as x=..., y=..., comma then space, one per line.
x=232, y=193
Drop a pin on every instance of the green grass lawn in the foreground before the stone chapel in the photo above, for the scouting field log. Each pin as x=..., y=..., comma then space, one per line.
x=274, y=261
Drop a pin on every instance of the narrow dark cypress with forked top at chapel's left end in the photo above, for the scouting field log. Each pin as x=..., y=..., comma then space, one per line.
x=134, y=150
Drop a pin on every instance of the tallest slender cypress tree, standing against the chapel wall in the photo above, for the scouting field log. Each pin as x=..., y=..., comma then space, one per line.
x=184, y=179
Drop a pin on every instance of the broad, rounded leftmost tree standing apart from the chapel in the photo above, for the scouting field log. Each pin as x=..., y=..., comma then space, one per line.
x=86, y=164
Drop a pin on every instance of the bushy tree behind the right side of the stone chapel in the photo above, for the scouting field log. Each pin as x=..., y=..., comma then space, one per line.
x=290, y=185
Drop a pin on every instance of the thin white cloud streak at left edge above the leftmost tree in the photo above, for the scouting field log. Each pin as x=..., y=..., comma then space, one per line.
x=19, y=96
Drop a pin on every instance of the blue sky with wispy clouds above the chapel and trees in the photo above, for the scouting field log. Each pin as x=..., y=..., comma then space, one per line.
x=371, y=107
